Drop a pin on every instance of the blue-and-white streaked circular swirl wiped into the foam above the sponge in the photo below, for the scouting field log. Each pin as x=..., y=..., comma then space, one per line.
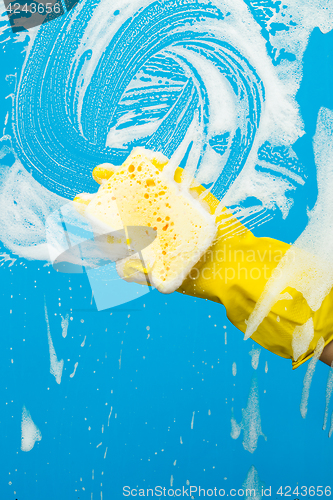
x=126, y=79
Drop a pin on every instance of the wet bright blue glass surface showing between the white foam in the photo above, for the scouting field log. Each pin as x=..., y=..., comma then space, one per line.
x=148, y=387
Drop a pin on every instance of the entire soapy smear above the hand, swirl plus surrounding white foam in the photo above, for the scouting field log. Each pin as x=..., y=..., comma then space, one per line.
x=99, y=81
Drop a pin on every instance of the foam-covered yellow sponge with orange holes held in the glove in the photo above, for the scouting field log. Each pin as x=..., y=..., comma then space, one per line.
x=141, y=193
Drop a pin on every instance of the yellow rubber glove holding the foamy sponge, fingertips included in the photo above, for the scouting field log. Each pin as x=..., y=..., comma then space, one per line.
x=234, y=272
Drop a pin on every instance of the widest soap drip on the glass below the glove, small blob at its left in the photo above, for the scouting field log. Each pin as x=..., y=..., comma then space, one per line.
x=251, y=421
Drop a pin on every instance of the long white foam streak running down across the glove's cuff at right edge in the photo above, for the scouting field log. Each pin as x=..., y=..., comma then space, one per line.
x=308, y=265
